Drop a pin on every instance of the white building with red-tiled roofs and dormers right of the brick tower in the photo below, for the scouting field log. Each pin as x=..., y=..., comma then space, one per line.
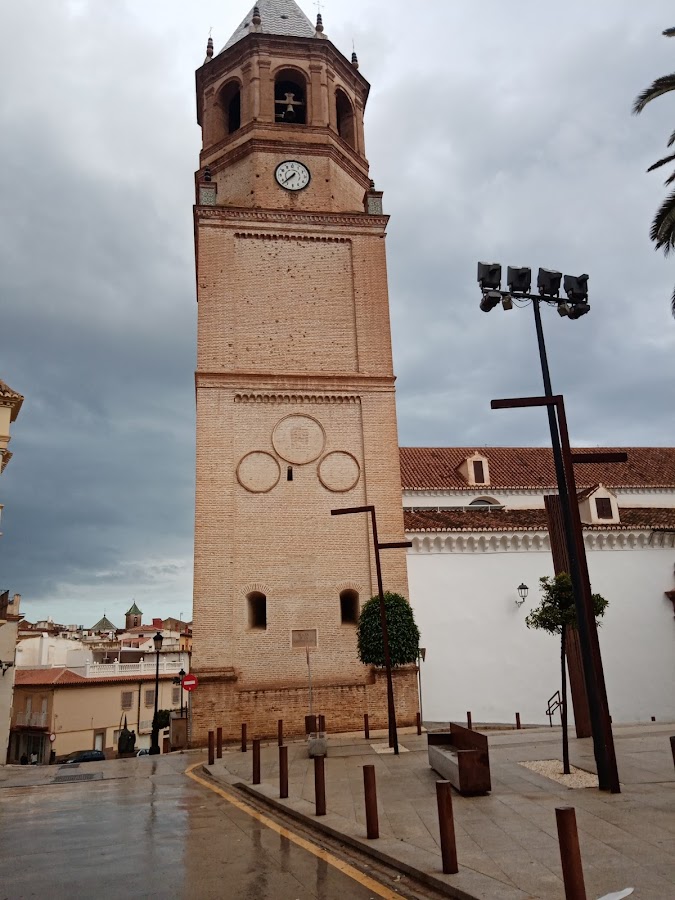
x=479, y=529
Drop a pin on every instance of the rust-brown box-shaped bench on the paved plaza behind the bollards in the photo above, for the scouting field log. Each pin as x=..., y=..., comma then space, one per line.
x=461, y=757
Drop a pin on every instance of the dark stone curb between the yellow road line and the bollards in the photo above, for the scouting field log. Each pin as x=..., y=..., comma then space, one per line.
x=438, y=882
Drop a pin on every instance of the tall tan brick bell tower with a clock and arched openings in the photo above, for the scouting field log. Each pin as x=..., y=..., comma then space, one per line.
x=294, y=384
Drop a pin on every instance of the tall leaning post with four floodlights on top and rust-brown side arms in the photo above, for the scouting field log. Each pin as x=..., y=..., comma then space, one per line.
x=576, y=287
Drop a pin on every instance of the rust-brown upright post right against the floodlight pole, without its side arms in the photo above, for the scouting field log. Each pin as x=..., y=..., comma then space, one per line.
x=601, y=721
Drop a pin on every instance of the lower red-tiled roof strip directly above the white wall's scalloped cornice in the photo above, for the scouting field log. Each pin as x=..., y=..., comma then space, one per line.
x=486, y=519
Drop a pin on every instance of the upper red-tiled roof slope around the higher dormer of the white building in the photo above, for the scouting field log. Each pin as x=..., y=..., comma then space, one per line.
x=435, y=468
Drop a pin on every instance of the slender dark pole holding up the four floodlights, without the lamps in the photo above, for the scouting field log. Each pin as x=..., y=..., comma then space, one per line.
x=565, y=493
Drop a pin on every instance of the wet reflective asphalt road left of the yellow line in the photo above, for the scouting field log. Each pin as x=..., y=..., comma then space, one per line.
x=146, y=830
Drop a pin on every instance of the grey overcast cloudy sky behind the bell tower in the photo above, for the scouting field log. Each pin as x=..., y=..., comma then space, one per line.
x=497, y=131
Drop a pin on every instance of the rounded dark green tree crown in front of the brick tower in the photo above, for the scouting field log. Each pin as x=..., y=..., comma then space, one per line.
x=404, y=635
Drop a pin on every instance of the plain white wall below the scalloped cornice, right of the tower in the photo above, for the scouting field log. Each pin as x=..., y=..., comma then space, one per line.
x=481, y=657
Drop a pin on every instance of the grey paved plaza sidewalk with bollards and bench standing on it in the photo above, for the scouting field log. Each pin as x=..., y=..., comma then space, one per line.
x=507, y=842
